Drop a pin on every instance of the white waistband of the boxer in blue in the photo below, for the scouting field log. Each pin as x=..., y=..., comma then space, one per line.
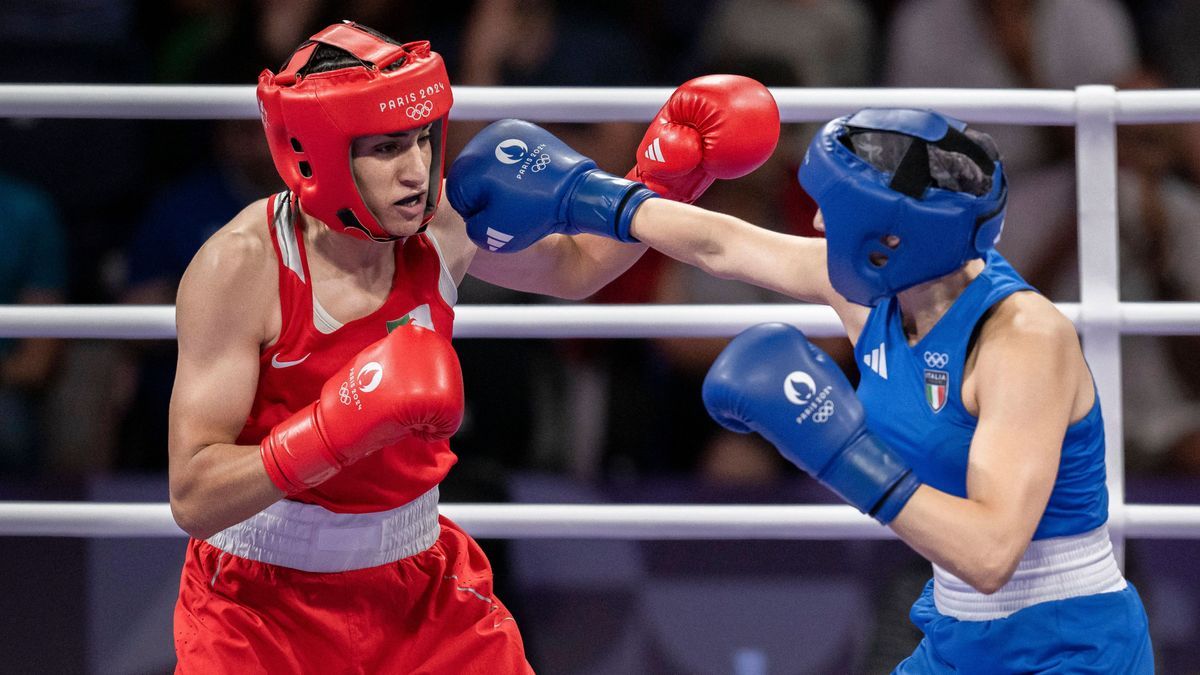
x=1052, y=570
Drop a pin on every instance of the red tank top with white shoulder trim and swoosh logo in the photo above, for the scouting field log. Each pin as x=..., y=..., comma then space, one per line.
x=292, y=372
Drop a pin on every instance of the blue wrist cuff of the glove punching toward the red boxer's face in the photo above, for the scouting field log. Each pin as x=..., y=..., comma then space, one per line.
x=605, y=205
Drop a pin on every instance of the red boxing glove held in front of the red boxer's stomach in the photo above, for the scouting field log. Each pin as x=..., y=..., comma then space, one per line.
x=410, y=384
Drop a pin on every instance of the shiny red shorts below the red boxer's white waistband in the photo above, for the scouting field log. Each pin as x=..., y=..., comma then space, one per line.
x=433, y=613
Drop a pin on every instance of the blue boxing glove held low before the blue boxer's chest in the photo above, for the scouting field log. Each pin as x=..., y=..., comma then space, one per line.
x=773, y=381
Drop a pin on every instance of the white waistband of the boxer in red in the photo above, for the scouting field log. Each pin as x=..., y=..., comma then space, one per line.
x=311, y=539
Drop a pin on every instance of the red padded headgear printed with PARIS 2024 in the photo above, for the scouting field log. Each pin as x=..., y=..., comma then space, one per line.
x=313, y=120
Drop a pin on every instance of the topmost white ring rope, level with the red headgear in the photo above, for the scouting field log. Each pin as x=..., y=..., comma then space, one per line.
x=597, y=104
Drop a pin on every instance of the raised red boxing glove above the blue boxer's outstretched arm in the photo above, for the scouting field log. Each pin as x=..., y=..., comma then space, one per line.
x=713, y=127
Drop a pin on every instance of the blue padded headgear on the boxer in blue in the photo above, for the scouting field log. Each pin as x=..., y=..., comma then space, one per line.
x=939, y=230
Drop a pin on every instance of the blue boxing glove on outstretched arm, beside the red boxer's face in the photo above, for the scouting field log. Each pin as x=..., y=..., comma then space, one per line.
x=515, y=183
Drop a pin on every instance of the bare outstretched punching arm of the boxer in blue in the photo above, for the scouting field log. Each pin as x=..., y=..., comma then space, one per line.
x=730, y=248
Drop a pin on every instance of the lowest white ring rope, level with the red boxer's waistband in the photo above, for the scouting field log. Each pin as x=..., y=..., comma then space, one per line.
x=578, y=522
